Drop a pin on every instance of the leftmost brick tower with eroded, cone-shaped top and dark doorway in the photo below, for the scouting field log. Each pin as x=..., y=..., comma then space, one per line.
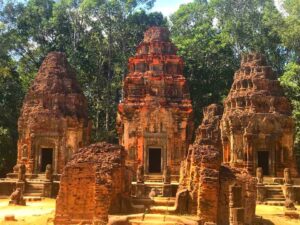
x=53, y=123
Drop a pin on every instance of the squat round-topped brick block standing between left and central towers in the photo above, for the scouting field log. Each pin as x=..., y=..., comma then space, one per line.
x=93, y=185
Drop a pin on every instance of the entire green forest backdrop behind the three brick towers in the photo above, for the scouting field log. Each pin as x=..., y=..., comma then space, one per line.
x=99, y=36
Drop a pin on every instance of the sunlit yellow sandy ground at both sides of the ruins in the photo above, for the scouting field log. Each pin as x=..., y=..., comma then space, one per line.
x=42, y=213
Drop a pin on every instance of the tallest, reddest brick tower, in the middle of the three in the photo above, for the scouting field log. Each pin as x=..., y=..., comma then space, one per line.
x=155, y=117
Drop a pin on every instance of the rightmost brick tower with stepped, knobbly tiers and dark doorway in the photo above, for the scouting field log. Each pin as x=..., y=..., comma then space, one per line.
x=257, y=126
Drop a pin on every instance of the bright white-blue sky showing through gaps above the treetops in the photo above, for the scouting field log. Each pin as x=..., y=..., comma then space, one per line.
x=167, y=7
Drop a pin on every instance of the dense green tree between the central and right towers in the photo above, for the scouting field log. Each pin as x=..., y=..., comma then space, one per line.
x=208, y=55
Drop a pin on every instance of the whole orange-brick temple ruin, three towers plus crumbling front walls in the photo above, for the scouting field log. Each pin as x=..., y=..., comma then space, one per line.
x=210, y=180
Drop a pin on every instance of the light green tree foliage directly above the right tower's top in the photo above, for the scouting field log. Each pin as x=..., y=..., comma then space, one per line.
x=249, y=25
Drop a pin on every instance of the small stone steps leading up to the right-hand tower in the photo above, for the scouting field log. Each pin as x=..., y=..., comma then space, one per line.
x=274, y=195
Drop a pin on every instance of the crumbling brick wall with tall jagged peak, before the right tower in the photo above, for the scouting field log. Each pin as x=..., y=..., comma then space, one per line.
x=219, y=194
